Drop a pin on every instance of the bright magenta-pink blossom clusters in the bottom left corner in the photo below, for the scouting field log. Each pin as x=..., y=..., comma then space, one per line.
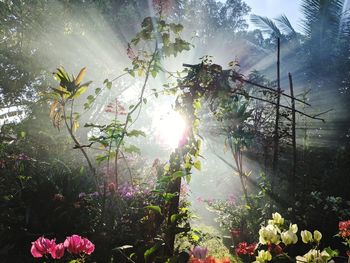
x=74, y=244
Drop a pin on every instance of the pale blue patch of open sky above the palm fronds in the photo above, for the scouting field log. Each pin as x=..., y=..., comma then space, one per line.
x=275, y=8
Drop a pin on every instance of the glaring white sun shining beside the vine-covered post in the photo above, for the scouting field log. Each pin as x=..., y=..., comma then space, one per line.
x=170, y=128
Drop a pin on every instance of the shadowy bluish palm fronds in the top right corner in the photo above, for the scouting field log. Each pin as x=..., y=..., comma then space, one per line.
x=326, y=27
